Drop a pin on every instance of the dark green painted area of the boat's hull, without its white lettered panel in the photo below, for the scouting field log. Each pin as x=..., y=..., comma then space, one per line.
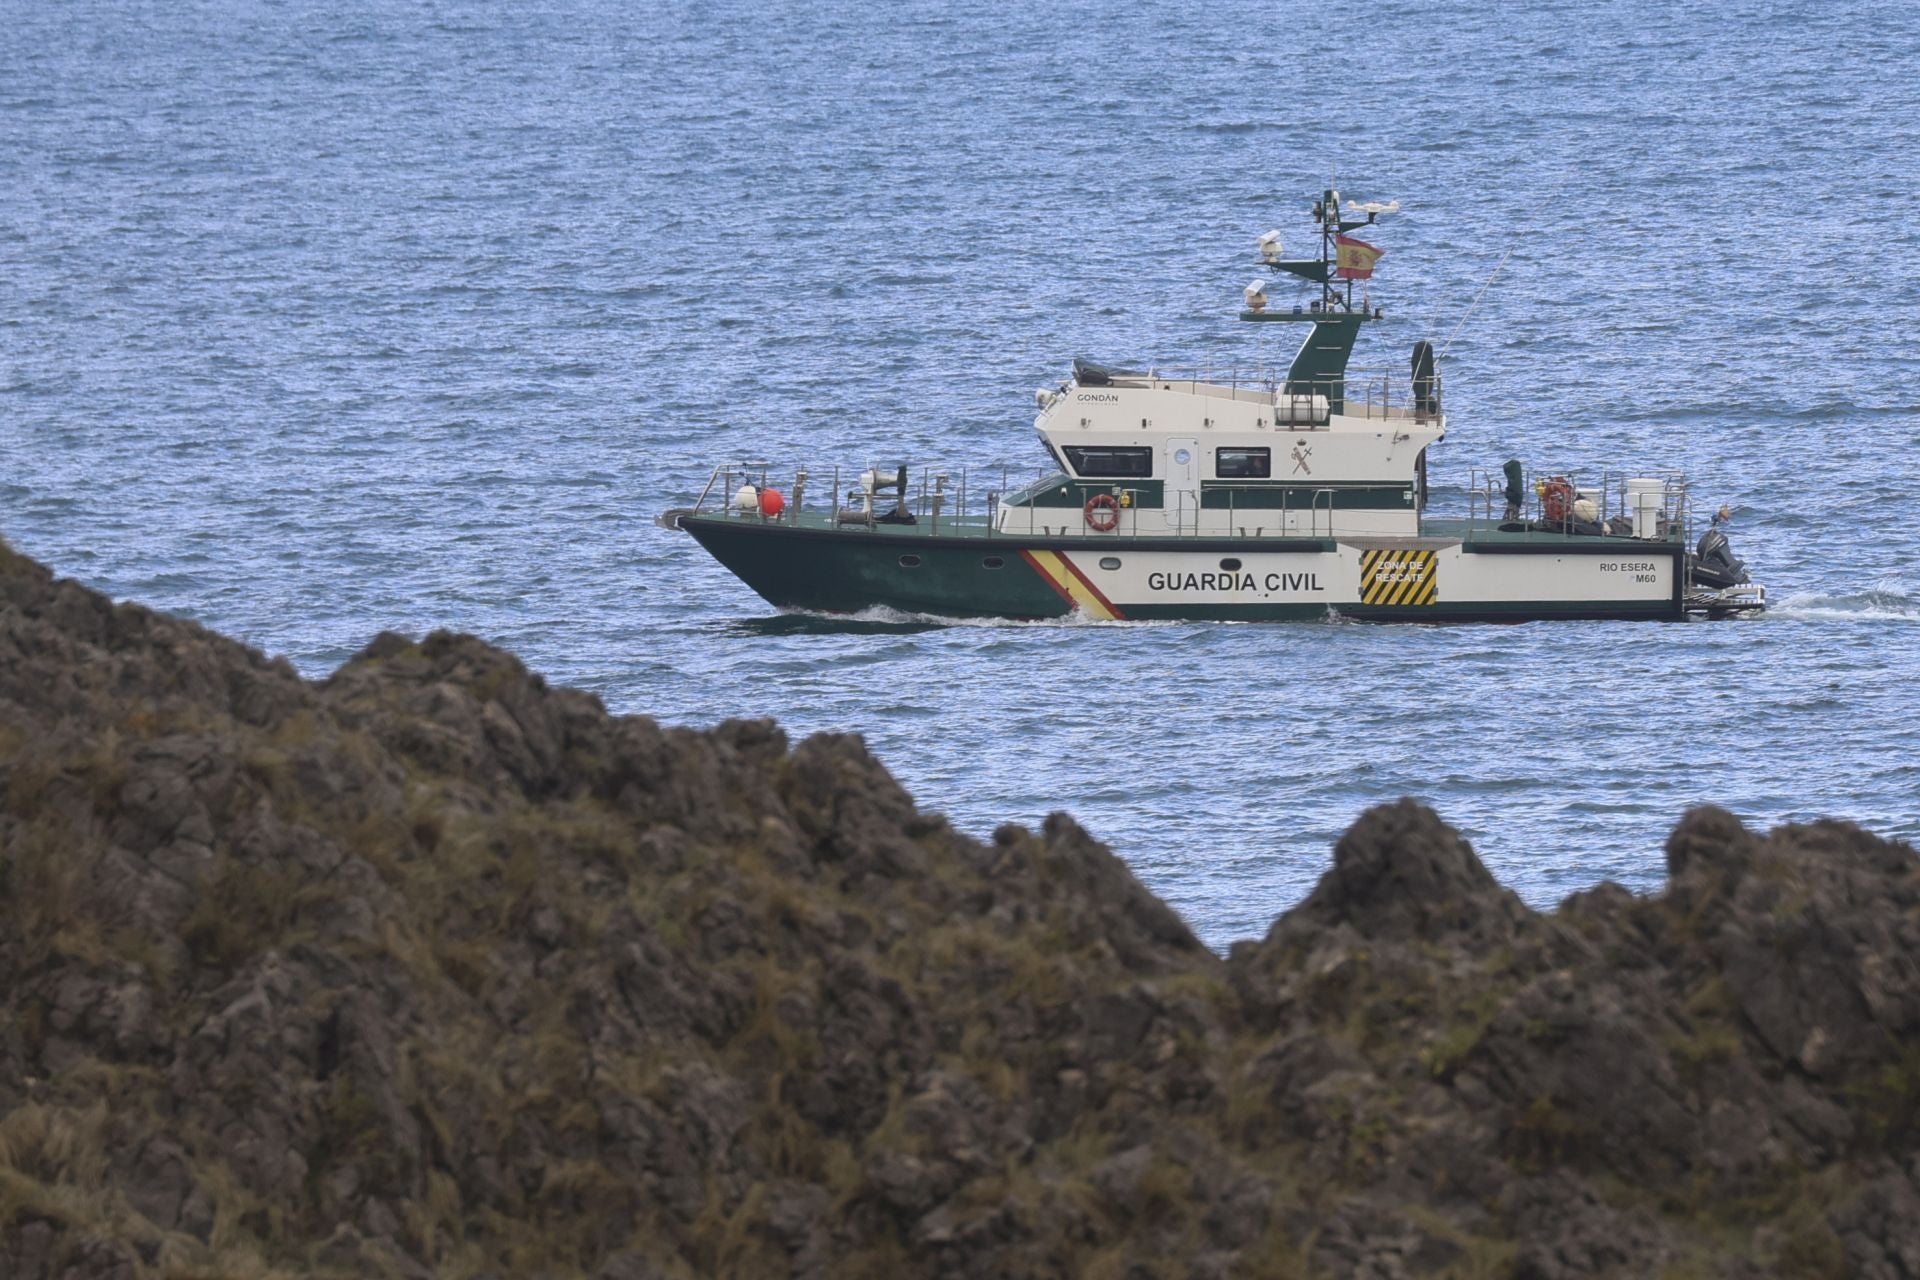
x=971, y=573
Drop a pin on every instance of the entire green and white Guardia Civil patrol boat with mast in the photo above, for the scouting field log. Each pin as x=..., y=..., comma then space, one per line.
x=1234, y=496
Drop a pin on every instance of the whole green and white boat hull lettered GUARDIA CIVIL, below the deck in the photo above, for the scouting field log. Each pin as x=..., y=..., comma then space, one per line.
x=980, y=575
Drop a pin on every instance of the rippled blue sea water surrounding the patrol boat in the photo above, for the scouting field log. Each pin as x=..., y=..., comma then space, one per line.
x=320, y=321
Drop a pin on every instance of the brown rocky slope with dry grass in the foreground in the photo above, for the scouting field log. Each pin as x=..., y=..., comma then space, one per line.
x=431, y=970
